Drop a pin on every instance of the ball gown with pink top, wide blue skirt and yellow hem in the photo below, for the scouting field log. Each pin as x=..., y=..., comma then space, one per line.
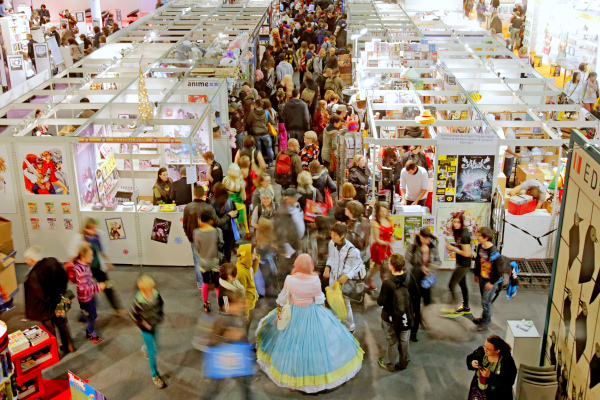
x=315, y=352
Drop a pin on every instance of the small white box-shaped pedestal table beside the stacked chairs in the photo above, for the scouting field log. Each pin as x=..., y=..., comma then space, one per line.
x=525, y=344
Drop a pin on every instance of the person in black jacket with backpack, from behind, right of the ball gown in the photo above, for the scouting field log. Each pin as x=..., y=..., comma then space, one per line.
x=399, y=298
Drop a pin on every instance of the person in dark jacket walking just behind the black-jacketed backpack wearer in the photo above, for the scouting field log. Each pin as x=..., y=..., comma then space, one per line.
x=422, y=255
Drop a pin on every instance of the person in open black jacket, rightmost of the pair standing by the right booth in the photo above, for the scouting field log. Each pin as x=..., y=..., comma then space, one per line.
x=488, y=272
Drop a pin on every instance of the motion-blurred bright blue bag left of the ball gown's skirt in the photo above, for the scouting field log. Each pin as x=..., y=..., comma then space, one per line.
x=229, y=360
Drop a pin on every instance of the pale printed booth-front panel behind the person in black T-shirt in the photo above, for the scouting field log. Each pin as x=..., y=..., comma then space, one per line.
x=475, y=216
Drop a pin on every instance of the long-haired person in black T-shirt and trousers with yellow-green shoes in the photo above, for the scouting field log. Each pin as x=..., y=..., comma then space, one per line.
x=462, y=250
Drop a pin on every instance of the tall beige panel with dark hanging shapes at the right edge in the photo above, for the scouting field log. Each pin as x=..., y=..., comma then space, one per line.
x=572, y=343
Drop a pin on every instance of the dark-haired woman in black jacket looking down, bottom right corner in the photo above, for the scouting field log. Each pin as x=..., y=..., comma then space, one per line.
x=495, y=370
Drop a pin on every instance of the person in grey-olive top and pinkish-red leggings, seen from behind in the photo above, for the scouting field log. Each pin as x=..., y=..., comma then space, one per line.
x=208, y=240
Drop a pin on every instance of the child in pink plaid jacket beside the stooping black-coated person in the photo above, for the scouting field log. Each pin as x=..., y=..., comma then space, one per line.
x=86, y=289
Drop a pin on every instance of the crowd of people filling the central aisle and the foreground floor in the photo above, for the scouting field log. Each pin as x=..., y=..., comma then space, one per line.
x=243, y=225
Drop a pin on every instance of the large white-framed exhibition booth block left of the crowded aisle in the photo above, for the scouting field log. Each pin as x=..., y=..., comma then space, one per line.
x=155, y=97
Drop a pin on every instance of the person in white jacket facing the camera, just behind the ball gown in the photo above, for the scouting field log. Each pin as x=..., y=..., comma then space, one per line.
x=343, y=264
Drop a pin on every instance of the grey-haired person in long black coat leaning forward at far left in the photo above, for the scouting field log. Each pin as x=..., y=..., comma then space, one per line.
x=44, y=286
